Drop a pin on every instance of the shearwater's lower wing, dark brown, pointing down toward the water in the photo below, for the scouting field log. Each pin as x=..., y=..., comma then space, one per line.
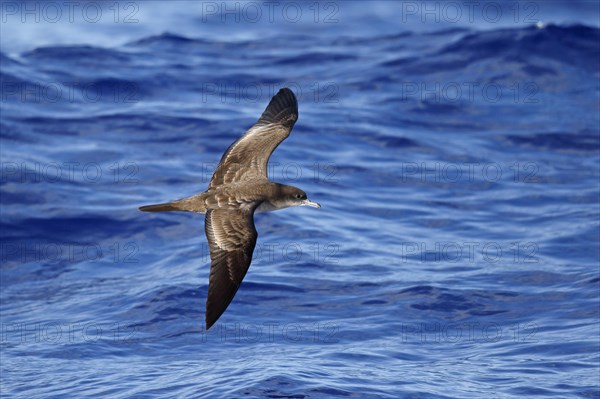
x=231, y=237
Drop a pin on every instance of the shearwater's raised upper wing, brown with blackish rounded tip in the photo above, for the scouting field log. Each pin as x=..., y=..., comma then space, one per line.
x=247, y=158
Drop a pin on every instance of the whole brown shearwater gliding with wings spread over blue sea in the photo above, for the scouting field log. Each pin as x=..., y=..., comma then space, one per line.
x=238, y=188
